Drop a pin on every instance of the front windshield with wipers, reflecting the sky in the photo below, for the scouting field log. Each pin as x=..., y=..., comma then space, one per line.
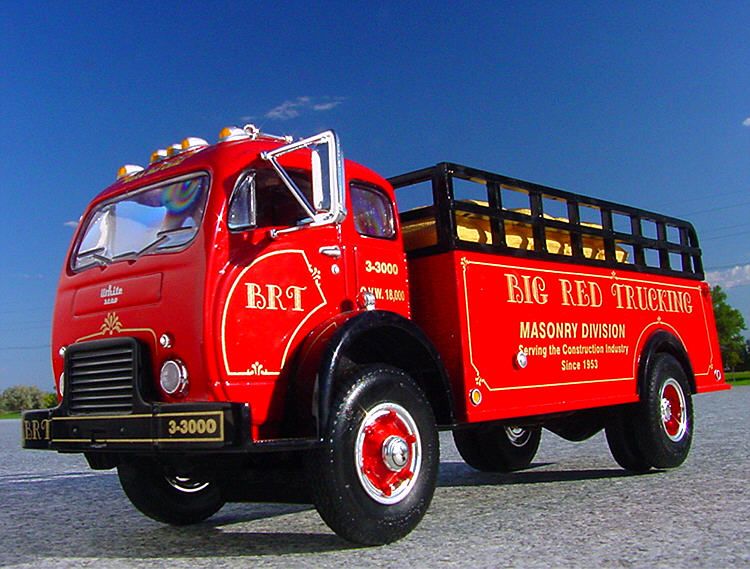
x=151, y=220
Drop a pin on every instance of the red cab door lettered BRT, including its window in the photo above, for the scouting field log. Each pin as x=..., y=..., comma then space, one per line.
x=284, y=275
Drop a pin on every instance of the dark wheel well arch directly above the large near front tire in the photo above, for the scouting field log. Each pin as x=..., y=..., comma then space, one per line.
x=398, y=347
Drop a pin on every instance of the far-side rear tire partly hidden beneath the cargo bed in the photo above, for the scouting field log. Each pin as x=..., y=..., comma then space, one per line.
x=498, y=448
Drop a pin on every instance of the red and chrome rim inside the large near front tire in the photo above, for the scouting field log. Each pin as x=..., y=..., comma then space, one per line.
x=388, y=453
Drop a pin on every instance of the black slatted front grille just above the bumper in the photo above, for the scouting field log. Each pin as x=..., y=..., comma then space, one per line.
x=100, y=377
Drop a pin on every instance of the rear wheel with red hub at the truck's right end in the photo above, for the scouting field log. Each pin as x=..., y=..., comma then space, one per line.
x=663, y=423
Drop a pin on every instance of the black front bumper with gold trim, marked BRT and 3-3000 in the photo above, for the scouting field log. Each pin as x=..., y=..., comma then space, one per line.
x=184, y=427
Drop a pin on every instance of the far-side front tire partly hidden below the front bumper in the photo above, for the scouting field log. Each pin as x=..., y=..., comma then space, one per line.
x=166, y=498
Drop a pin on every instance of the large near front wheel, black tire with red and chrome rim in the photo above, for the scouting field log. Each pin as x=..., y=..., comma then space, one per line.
x=382, y=428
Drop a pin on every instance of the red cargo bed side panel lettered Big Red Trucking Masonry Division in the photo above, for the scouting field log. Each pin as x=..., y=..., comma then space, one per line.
x=580, y=329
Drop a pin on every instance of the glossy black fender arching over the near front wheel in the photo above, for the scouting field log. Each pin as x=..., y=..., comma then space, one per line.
x=356, y=338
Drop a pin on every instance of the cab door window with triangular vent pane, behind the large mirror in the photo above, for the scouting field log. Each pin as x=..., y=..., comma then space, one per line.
x=260, y=199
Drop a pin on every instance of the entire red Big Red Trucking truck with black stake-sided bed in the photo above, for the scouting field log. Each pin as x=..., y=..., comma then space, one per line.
x=258, y=310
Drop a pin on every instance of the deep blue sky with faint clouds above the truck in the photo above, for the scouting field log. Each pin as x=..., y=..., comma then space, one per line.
x=647, y=104
